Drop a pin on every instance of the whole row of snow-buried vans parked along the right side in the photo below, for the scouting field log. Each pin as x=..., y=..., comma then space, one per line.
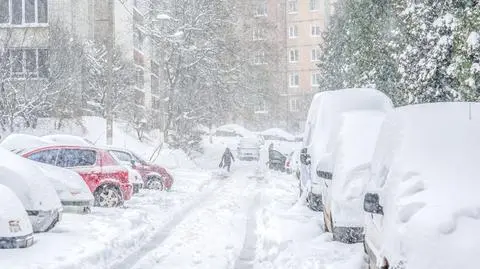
x=400, y=180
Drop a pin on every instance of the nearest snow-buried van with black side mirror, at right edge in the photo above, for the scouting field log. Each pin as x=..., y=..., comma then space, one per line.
x=422, y=202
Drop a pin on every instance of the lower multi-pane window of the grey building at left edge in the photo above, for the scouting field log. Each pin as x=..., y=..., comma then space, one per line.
x=28, y=63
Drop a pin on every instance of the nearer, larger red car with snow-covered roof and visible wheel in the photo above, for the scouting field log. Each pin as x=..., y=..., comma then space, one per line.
x=106, y=178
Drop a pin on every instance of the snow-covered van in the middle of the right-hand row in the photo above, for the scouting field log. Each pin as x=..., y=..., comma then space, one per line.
x=343, y=193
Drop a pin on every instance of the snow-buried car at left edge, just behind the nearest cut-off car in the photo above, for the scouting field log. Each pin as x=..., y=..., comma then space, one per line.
x=37, y=194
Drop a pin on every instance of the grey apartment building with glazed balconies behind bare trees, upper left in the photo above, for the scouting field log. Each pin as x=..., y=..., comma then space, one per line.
x=25, y=36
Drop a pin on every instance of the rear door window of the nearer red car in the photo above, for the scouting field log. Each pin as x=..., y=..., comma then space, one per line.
x=76, y=158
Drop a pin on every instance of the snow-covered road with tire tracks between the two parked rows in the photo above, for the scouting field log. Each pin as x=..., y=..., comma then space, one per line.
x=246, y=221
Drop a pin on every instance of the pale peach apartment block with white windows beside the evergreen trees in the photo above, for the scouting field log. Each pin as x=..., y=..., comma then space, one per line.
x=306, y=21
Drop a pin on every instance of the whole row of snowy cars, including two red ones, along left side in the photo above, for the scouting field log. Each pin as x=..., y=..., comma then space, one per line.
x=55, y=173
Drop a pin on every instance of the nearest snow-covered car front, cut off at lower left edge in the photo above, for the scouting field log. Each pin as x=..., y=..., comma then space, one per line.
x=15, y=227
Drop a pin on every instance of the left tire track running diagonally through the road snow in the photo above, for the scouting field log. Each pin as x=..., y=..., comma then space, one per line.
x=131, y=260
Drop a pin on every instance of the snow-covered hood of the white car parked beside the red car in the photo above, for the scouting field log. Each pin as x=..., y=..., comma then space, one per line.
x=68, y=184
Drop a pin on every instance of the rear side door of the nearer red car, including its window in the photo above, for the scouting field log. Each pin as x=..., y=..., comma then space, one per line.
x=82, y=161
